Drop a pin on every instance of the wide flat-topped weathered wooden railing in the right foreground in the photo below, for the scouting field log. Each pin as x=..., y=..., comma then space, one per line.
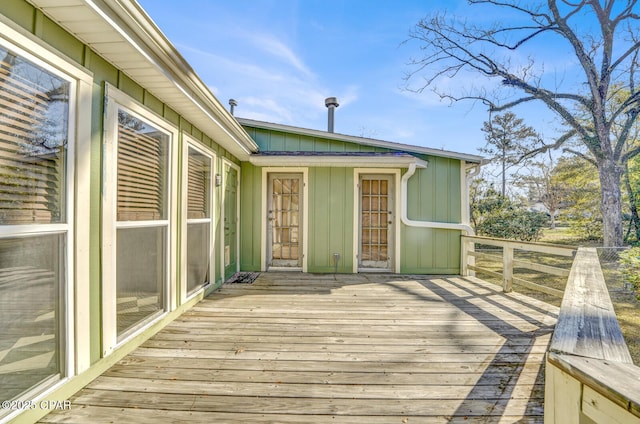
x=590, y=376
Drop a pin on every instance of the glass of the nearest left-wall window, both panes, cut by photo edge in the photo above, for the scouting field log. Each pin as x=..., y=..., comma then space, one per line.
x=36, y=212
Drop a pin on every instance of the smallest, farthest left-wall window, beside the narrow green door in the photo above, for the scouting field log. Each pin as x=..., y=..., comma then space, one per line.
x=199, y=207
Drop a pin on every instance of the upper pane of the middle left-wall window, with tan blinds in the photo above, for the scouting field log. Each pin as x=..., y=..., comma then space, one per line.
x=142, y=170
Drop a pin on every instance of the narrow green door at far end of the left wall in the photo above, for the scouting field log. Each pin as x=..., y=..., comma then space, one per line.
x=230, y=221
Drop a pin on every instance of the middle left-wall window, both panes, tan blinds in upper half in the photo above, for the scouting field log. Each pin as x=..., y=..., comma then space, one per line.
x=141, y=222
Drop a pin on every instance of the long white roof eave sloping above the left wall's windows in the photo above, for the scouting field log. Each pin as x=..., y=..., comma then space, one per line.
x=179, y=86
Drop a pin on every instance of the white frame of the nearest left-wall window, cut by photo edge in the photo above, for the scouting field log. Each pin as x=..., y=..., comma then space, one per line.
x=75, y=310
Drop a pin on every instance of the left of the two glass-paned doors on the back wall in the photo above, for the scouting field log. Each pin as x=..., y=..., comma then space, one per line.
x=284, y=220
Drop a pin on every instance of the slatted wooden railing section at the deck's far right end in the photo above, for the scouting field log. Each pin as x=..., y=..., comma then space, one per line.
x=509, y=262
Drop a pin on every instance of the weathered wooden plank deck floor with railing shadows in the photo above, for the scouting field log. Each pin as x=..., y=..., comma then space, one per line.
x=293, y=348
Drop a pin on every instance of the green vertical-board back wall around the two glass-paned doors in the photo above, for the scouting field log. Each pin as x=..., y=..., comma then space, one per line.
x=434, y=194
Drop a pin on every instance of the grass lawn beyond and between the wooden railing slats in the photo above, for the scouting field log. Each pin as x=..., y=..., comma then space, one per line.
x=626, y=305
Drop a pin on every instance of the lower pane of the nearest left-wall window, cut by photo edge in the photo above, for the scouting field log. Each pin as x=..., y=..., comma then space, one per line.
x=31, y=273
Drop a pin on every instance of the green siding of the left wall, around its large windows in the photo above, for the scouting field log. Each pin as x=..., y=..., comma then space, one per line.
x=33, y=22
